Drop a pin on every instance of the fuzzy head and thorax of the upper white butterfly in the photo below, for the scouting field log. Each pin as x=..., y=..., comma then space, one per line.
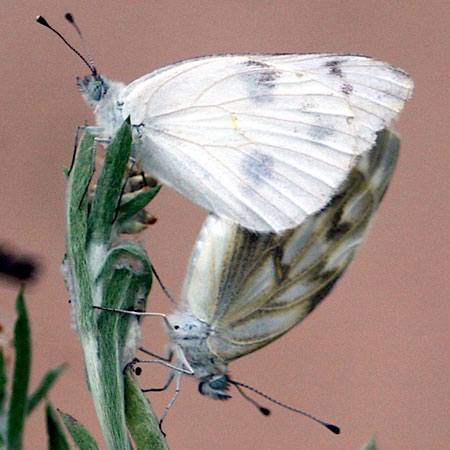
x=104, y=97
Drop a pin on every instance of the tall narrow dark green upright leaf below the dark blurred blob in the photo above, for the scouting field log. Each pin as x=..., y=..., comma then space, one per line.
x=21, y=376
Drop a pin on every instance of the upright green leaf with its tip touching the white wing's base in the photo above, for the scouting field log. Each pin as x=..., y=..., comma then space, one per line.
x=109, y=185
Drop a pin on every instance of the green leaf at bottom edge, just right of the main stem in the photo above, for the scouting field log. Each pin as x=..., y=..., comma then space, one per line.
x=142, y=423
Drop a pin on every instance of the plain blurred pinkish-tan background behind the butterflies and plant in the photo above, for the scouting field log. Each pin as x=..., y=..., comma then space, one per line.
x=374, y=357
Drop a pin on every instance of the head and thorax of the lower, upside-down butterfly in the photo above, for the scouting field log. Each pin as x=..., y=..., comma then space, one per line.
x=189, y=338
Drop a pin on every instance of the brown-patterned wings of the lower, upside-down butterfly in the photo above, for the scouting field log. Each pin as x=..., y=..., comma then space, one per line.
x=253, y=288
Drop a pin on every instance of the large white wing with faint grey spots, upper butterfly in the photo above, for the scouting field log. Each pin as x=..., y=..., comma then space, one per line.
x=263, y=140
